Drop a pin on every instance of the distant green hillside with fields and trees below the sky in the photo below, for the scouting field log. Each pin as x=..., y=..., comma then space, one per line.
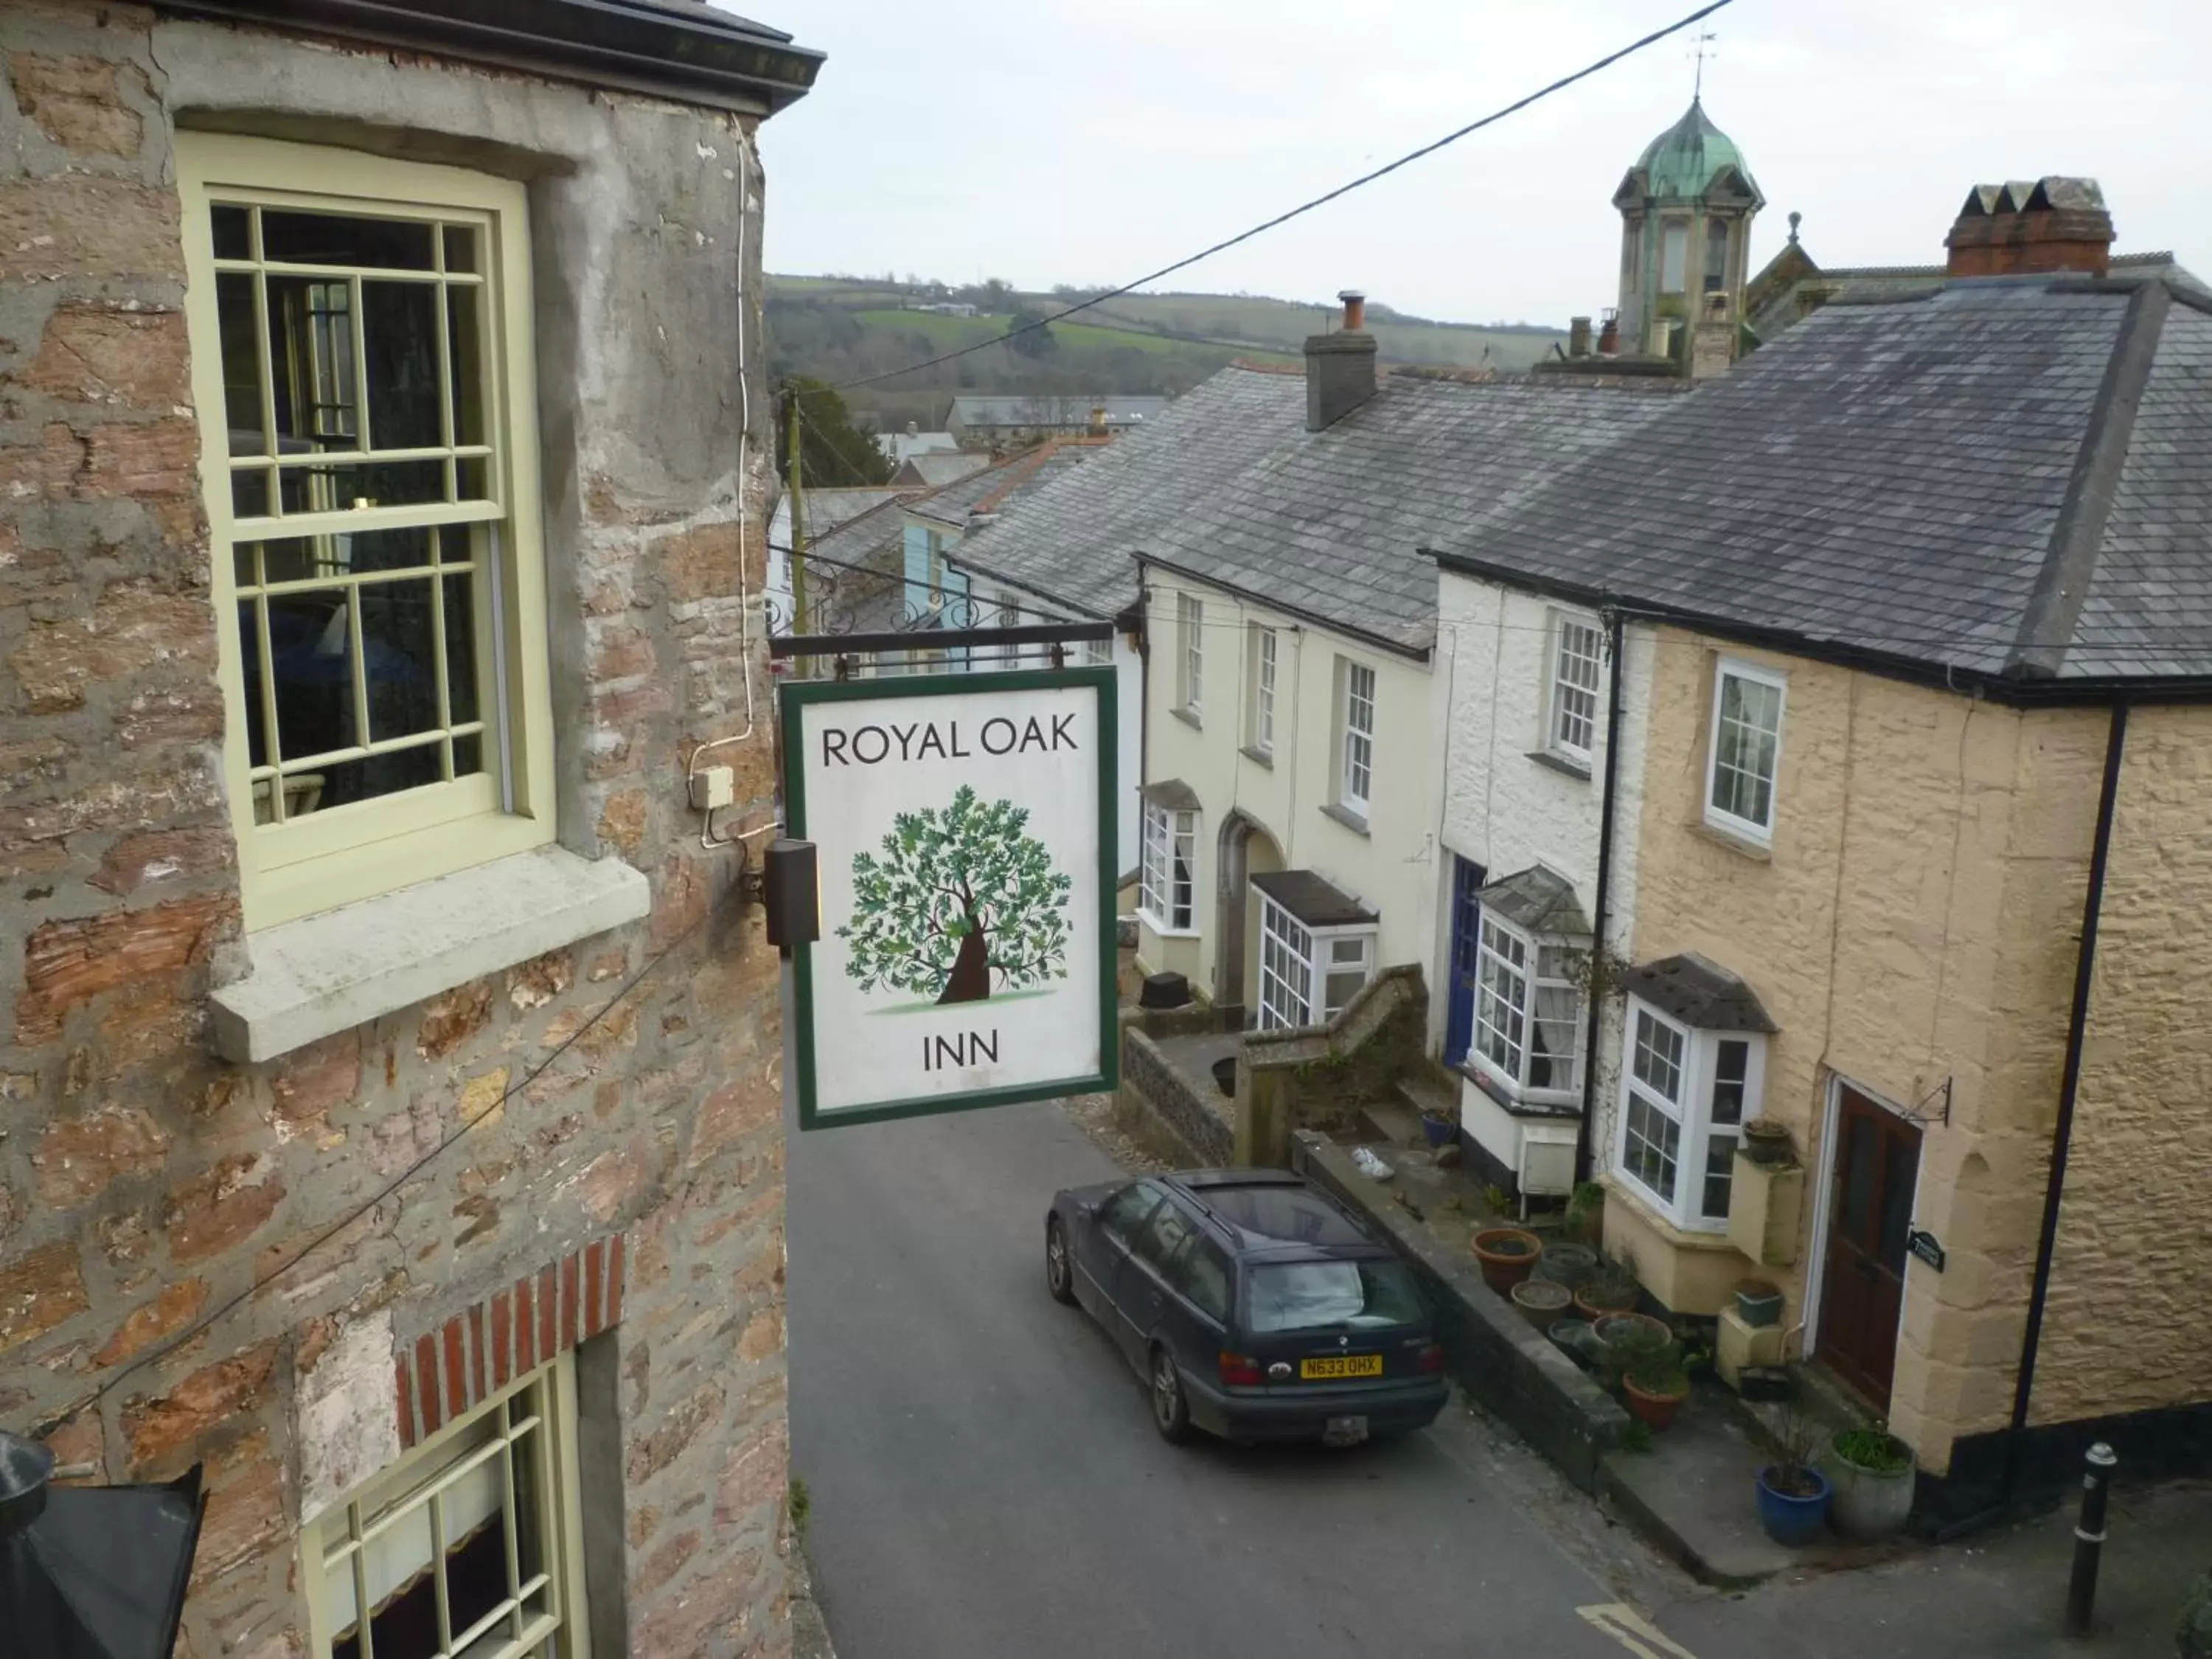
x=842, y=328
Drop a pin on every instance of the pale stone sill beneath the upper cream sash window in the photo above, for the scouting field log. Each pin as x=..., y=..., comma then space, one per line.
x=357, y=963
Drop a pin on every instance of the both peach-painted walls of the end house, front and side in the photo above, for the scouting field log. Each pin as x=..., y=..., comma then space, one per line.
x=1914, y=924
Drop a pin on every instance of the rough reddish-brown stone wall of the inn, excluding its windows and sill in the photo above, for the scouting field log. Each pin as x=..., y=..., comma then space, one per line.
x=632, y=1202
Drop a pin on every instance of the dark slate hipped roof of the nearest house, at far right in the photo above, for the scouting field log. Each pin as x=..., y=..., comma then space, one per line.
x=1917, y=481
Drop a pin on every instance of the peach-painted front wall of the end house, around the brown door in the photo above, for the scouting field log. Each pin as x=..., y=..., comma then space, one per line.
x=1910, y=926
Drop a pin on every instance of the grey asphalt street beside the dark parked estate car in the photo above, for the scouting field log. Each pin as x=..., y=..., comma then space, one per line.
x=985, y=1481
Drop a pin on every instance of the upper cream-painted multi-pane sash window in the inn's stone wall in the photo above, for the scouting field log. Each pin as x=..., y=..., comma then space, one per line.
x=362, y=359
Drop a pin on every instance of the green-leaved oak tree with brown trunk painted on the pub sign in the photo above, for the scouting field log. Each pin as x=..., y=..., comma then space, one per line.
x=954, y=899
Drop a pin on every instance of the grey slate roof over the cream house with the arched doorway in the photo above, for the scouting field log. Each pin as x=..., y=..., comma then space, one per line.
x=1331, y=523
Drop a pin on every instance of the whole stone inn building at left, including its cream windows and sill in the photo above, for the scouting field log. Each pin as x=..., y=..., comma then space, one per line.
x=337, y=1196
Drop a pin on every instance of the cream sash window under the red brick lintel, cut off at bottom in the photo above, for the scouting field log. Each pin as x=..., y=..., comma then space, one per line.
x=470, y=1545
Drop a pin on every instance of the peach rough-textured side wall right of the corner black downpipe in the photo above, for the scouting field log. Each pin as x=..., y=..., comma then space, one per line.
x=2125, y=1326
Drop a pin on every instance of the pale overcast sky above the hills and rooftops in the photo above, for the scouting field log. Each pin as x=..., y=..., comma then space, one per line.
x=1047, y=143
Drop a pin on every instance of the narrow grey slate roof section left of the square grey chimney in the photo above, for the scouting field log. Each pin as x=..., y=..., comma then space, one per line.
x=1072, y=541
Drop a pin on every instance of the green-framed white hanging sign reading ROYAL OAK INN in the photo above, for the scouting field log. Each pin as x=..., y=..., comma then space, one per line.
x=966, y=851
